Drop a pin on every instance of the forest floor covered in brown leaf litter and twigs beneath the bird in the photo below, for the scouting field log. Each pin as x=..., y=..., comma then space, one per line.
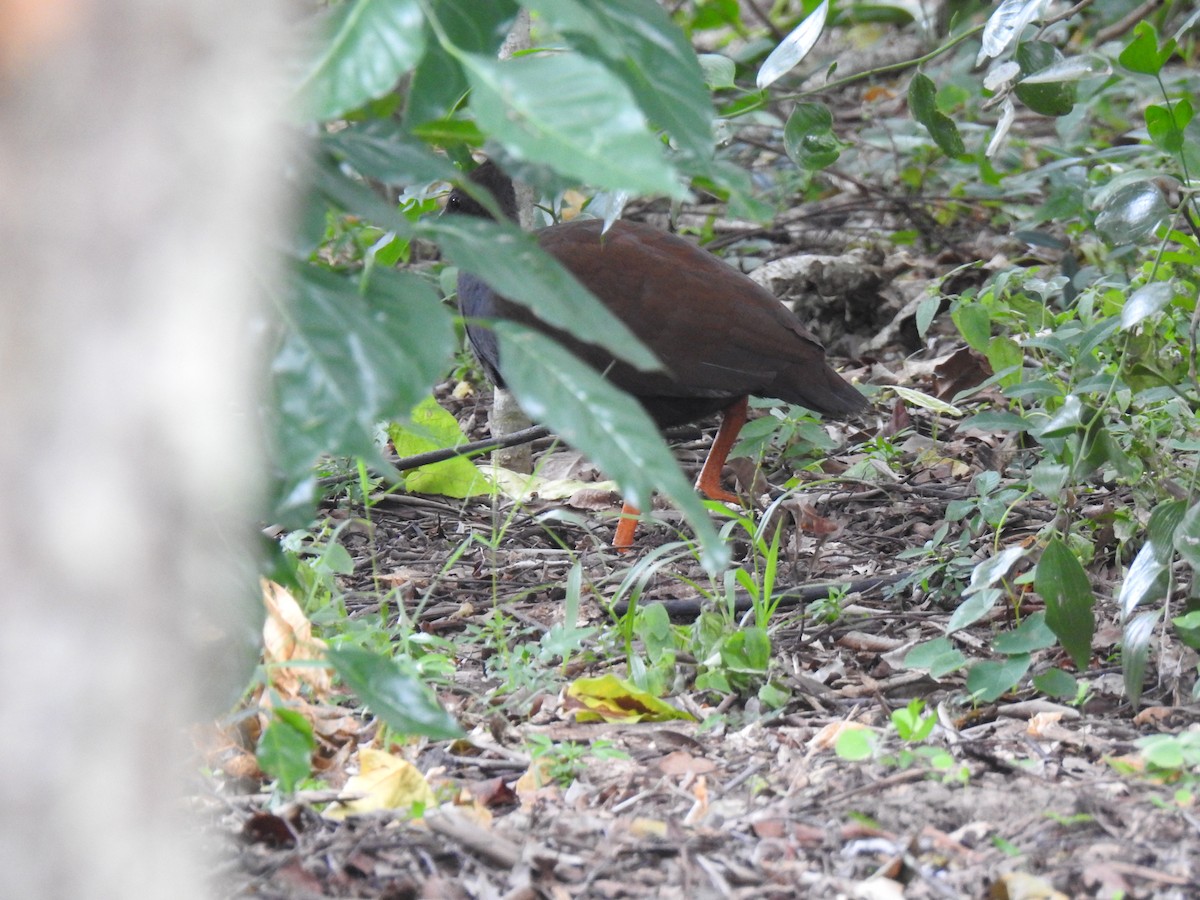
x=1023, y=797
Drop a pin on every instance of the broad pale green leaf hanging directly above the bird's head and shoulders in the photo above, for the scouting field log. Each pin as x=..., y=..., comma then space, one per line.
x=589, y=127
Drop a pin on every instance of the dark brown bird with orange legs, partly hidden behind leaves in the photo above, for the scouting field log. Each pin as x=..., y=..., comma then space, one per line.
x=721, y=337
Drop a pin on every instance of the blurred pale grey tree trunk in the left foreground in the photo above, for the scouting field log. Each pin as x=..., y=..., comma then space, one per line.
x=137, y=173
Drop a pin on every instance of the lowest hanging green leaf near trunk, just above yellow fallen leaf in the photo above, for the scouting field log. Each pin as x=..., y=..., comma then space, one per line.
x=393, y=693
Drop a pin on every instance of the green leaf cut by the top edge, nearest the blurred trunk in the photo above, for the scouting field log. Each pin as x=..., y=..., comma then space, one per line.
x=368, y=46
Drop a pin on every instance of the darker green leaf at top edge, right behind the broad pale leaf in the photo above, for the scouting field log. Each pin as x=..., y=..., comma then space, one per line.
x=640, y=45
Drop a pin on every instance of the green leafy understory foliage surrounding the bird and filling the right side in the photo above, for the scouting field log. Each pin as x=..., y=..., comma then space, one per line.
x=1075, y=136
